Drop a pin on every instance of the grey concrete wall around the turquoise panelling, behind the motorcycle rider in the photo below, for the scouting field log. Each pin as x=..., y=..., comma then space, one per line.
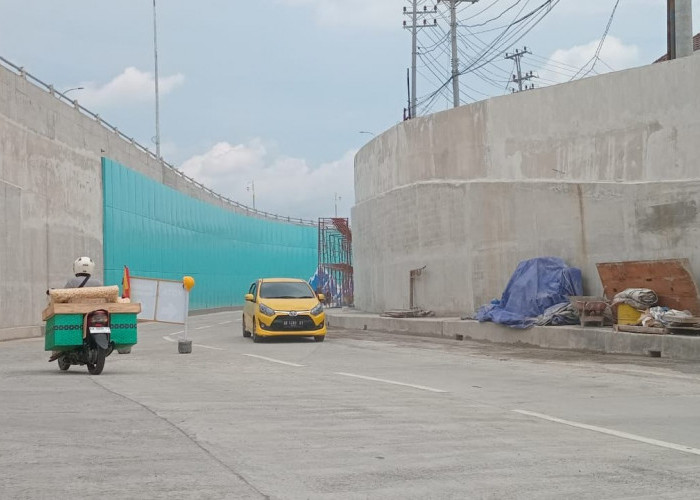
x=51, y=204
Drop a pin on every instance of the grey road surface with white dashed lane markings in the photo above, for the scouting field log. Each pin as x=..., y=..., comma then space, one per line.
x=361, y=415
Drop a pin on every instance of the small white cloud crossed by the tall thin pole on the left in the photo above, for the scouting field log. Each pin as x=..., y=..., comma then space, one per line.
x=131, y=86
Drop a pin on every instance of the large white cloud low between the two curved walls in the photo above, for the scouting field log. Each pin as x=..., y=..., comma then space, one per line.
x=283, y=185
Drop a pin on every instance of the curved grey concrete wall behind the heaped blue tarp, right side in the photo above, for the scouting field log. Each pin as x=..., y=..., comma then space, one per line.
x=597, y=170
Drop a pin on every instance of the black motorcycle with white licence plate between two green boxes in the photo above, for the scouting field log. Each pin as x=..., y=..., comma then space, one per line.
x=96, y=346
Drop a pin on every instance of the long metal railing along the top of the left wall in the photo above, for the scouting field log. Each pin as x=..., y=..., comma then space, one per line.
x=74, y=102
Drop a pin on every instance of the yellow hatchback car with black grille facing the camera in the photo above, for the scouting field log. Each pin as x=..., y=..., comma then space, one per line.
x=283, y=306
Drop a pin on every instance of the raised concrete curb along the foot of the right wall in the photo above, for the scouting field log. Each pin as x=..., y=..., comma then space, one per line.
x=600, y=340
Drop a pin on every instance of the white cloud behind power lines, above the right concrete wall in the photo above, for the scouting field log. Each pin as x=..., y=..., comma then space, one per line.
x=614, y=56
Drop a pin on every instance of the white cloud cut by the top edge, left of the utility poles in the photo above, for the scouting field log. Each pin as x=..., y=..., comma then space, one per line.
x=384, y=14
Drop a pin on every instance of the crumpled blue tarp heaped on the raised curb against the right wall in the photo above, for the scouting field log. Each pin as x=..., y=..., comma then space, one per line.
x=536, y=285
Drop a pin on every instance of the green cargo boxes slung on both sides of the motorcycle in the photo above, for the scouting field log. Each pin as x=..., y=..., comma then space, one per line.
x=65, y=331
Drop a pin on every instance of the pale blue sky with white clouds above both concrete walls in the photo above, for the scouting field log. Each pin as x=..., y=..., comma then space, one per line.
x=269, y=100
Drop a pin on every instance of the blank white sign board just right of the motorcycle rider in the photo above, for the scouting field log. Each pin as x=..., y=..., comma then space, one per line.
x=161, y=300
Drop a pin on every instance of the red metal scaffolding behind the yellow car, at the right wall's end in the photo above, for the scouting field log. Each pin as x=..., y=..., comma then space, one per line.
x=335, y=274
